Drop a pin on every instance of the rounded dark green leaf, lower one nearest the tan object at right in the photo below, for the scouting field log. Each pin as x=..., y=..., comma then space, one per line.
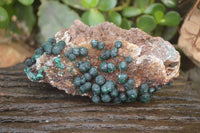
x=172, y=18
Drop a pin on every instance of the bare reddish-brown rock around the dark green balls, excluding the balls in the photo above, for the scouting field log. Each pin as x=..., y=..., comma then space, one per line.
x=155, y=61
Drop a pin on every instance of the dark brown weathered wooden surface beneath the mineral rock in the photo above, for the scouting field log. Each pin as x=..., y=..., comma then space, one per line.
x=32, y=107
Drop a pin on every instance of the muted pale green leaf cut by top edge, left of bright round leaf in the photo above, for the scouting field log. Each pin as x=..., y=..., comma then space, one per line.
x=75, y=3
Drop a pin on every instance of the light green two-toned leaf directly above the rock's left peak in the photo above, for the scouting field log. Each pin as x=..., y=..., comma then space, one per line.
x=92, y=17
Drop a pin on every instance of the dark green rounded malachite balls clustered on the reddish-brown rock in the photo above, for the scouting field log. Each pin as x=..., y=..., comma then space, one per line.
x=91, y=80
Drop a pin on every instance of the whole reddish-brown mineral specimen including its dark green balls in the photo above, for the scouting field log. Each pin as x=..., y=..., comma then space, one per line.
x=106, y=63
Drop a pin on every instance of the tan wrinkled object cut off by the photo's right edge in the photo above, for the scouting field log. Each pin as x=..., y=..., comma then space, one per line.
x=189, y=40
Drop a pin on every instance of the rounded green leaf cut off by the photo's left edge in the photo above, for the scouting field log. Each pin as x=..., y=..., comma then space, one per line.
x=4, y=20
